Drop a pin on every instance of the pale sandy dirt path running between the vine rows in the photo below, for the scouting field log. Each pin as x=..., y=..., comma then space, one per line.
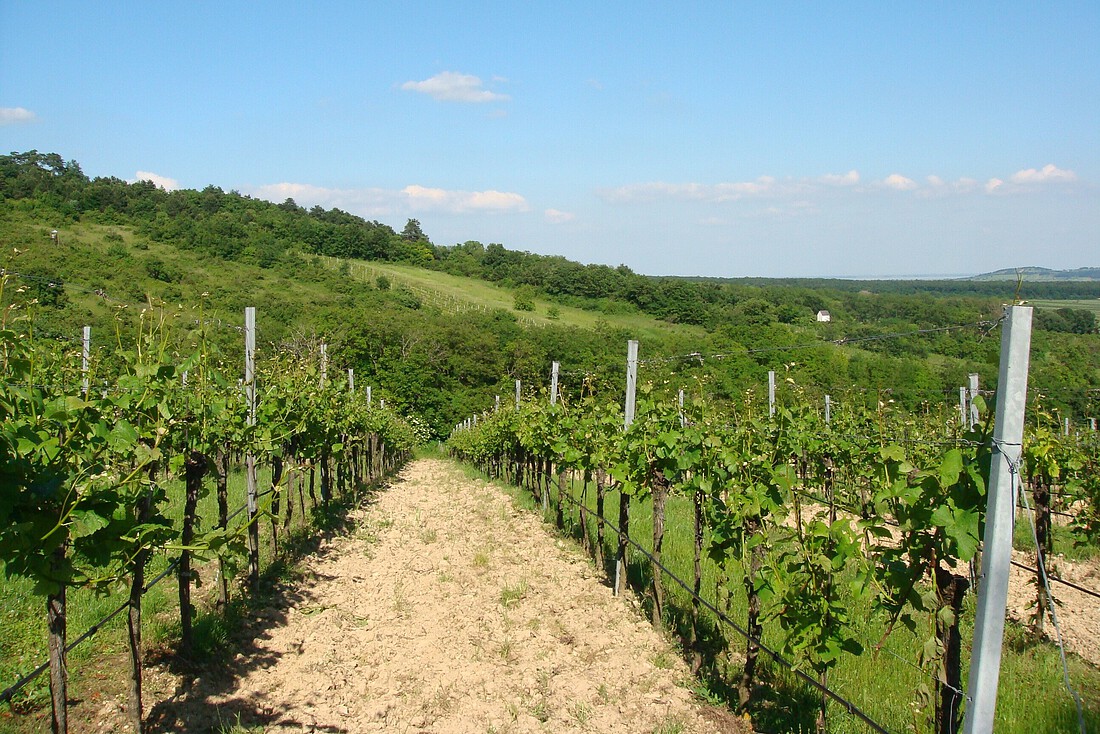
x=446, y=611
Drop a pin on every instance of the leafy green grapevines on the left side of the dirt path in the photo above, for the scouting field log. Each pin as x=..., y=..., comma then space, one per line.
x=109, y=456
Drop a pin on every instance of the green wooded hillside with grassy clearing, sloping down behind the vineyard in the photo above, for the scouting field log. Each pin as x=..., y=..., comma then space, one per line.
x=437, y=328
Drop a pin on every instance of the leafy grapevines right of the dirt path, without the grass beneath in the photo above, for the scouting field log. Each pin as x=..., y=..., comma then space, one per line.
x=807, y=521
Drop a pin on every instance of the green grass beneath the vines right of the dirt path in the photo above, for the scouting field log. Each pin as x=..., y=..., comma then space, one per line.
x=885, y=685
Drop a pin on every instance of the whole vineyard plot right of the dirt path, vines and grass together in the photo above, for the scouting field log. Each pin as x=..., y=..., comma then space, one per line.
x=820, y=553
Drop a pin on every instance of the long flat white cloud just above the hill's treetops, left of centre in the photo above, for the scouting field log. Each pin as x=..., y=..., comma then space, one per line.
x=373, y=203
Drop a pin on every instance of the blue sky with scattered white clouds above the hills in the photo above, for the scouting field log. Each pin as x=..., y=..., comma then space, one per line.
x=722, y=139
